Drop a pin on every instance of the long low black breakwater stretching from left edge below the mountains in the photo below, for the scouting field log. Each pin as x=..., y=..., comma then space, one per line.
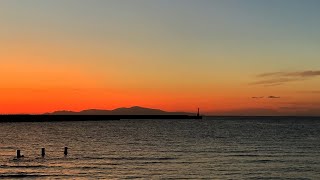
x=60, y=118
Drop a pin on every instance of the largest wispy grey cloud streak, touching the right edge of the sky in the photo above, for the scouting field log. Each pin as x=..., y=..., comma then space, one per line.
x=279, y=78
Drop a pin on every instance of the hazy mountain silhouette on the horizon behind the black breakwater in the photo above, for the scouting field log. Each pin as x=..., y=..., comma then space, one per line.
x=135, y=110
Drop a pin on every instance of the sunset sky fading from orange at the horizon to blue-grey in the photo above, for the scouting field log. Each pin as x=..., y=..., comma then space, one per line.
x=224, y=56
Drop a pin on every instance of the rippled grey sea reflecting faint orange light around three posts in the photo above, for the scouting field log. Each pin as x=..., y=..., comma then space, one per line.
x=212, y=148
